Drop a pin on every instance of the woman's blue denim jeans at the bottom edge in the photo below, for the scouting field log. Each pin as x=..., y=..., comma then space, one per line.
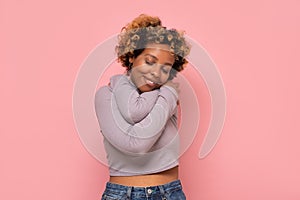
x=169, y=191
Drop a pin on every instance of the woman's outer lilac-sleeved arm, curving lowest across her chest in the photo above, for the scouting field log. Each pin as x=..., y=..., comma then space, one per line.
x=140, y=137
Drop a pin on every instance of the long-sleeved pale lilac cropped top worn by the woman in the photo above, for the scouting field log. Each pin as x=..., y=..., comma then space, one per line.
x=139, y=129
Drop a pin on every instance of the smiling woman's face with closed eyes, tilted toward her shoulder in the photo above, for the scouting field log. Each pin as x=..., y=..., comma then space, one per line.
x=152, y=67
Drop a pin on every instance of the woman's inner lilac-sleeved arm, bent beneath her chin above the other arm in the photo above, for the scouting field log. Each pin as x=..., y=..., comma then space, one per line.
x=132, y=105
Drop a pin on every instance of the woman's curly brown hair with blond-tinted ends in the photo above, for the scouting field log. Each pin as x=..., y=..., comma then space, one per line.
x=144, y=30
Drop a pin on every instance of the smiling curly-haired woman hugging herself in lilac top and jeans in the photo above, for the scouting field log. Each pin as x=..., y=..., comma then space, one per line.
x=137, y=113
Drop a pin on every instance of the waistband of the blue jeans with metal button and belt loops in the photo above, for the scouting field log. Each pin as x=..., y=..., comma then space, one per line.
x=129, y=191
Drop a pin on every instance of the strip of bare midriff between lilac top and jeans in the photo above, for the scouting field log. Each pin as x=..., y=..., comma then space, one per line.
x=148, y=179
